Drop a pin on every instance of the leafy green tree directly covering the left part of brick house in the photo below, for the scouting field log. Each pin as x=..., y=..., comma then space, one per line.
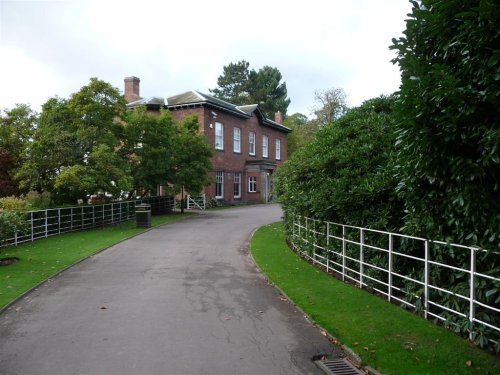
x=164, y=152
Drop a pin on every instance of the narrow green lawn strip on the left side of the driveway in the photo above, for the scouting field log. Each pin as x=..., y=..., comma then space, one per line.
x=43, y=258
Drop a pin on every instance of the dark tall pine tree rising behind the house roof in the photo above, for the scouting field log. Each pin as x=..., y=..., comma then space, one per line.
x=240, y=85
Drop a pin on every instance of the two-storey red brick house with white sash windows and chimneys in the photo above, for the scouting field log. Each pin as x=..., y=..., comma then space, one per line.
x=248, y=147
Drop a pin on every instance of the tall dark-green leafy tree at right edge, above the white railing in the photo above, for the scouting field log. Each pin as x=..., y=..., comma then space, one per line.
x=449, y=120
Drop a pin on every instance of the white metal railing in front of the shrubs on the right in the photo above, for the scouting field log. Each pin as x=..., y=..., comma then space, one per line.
x=356, y=255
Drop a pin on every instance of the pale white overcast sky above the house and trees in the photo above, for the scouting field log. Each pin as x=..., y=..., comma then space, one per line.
x=50, y=48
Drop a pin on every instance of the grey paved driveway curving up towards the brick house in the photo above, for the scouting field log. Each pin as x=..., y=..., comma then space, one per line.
x=184, y=298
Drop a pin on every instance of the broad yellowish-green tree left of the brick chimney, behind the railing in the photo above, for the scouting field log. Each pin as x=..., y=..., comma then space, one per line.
x=74, y=151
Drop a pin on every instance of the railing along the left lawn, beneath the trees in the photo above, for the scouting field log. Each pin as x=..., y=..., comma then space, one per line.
x=55, y=221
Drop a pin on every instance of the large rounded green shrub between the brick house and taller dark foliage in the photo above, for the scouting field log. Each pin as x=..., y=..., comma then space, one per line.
x=344, y=175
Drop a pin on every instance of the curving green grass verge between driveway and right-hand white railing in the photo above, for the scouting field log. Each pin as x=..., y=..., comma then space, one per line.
x=386, y=337
